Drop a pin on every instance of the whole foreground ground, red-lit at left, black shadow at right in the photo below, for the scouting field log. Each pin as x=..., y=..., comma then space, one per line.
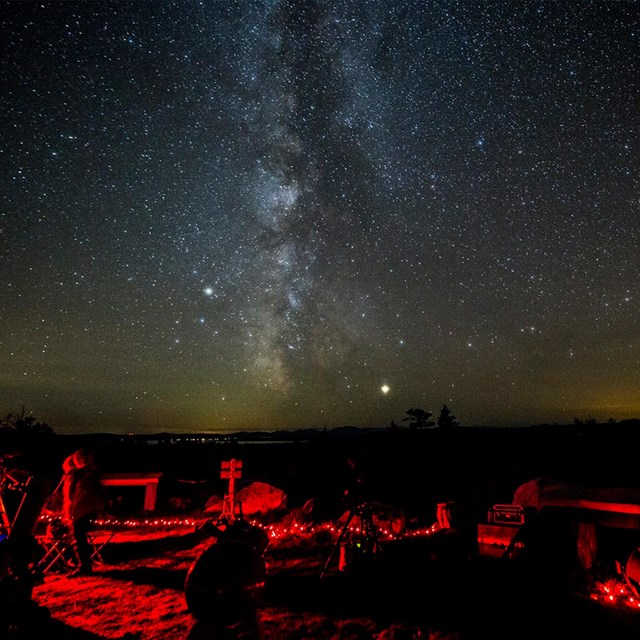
x=419, y=587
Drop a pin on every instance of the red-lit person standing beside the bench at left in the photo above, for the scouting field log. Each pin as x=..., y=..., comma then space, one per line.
x=82, y=500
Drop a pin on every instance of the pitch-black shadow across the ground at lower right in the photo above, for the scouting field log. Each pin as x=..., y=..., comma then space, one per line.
x=467, y=597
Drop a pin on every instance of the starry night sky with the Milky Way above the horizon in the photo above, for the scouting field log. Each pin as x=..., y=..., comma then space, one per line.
x=224, y=215
